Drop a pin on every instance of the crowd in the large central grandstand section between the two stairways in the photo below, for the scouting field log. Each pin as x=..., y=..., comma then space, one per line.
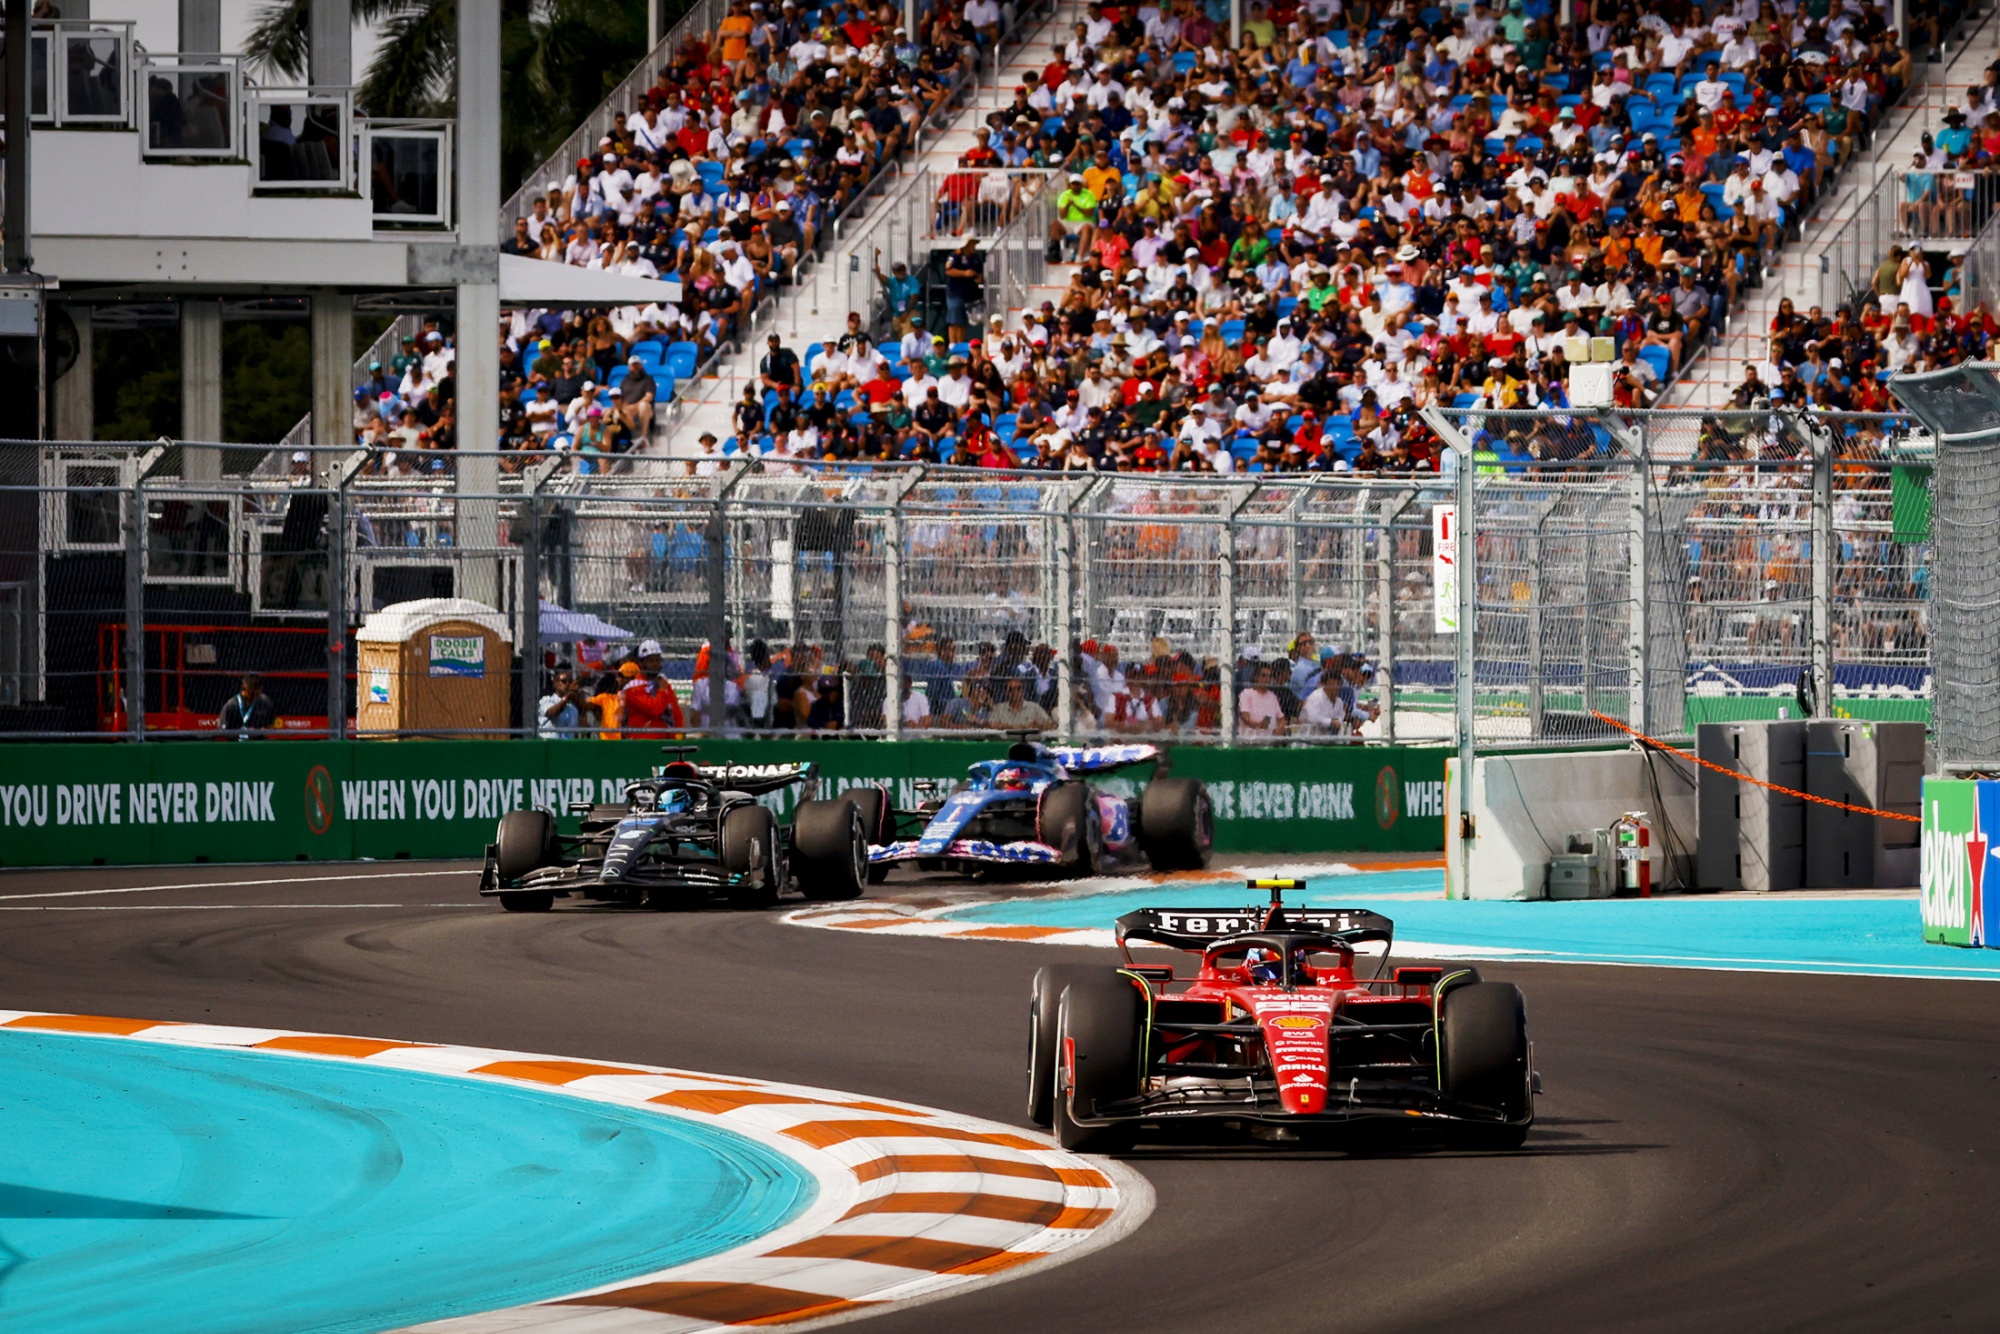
x=1293, y=247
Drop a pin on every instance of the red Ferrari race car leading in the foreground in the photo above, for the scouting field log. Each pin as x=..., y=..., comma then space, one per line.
x=1275, y=1035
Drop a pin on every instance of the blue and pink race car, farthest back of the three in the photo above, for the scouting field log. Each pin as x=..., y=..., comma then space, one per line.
x=1039, y=809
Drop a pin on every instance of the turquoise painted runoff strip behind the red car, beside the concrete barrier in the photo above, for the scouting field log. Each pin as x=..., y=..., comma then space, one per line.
x=1875, y=937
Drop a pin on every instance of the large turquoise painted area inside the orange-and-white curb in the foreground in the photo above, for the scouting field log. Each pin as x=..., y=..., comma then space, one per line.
x=151, y=1187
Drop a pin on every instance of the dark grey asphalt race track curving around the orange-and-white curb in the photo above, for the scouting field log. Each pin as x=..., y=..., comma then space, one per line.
x=1739, y=1151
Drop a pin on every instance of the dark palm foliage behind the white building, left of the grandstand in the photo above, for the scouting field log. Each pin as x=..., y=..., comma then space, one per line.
x=559, y=61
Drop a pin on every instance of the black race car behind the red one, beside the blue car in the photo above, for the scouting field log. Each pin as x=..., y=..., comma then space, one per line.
x=687, y=835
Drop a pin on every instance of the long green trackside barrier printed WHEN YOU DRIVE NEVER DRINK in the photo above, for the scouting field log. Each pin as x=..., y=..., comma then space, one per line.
x=177, y=803
